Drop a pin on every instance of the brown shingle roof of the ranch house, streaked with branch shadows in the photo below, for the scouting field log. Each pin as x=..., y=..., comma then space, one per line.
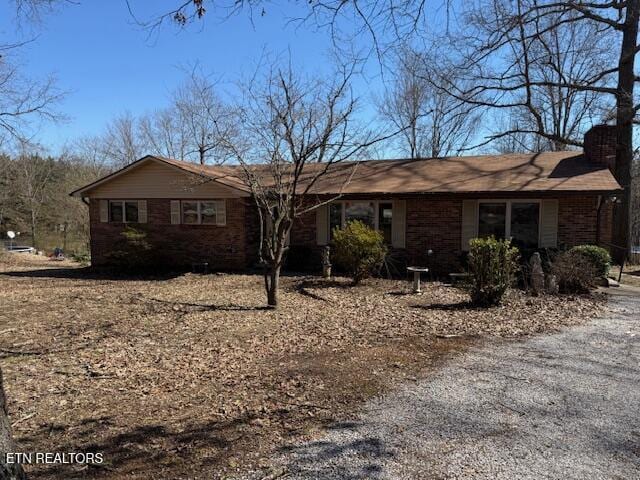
x=517, y=172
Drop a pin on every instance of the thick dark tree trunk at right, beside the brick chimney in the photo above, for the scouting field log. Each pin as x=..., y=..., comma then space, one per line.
x=624, y=121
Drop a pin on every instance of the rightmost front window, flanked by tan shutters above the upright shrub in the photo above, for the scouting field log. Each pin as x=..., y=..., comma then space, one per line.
x=515, y=219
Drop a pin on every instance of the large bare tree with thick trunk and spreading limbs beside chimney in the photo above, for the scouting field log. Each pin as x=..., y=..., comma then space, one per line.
x=530, y=27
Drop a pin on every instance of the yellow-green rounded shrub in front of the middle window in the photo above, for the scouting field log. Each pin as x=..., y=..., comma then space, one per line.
x=358, y=250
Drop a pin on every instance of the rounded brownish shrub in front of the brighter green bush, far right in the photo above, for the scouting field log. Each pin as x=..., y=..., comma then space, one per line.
x=574, y=272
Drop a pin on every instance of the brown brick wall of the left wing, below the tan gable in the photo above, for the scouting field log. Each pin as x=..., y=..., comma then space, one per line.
x=223, y=247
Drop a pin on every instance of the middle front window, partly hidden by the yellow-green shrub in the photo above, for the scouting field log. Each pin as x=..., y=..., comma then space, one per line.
x=378, y=215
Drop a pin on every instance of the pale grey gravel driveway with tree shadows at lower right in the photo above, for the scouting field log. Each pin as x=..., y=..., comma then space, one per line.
x=562, y=406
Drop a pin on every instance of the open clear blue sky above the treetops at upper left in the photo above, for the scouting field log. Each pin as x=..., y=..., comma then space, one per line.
x=110, y=65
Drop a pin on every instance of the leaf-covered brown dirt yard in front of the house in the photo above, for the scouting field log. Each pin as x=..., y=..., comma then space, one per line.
x=191, y=377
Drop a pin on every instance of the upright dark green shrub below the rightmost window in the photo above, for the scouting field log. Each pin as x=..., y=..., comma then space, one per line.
x=492, y=267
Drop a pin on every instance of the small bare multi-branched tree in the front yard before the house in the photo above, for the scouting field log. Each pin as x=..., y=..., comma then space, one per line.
x=302, y=129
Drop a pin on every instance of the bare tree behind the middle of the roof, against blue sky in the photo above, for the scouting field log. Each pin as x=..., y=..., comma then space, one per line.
x=431, y=122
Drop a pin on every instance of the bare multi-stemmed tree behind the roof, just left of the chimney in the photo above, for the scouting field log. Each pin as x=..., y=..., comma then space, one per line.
x=533, y=71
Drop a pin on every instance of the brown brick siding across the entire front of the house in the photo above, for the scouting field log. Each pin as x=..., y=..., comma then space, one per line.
x=432, y=223
